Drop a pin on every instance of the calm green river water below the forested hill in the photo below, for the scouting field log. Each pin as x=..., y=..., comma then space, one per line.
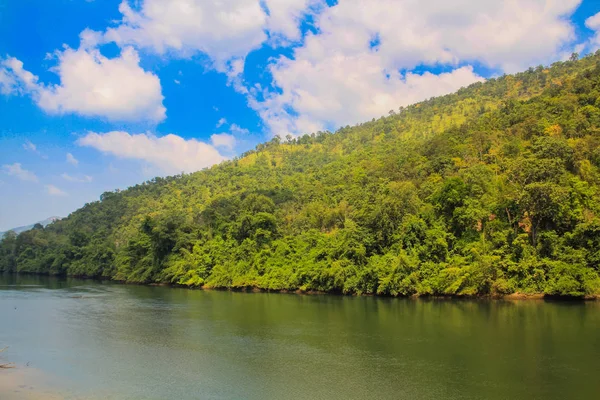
x=96, y=340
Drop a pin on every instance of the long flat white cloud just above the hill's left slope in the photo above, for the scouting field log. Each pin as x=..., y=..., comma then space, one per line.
x=170, y=153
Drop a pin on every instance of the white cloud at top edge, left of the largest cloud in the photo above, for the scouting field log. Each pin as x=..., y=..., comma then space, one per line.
x=223, y=30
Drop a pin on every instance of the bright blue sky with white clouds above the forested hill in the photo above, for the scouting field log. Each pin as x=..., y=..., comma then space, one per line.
x=97, y=95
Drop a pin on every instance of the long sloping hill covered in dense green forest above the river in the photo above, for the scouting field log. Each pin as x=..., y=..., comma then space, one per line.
x=491, y=190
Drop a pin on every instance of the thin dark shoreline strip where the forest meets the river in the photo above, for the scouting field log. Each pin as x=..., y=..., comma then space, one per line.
x=255, y=289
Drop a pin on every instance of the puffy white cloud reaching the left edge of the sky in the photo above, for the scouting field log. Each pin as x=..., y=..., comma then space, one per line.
x=91, y=85
